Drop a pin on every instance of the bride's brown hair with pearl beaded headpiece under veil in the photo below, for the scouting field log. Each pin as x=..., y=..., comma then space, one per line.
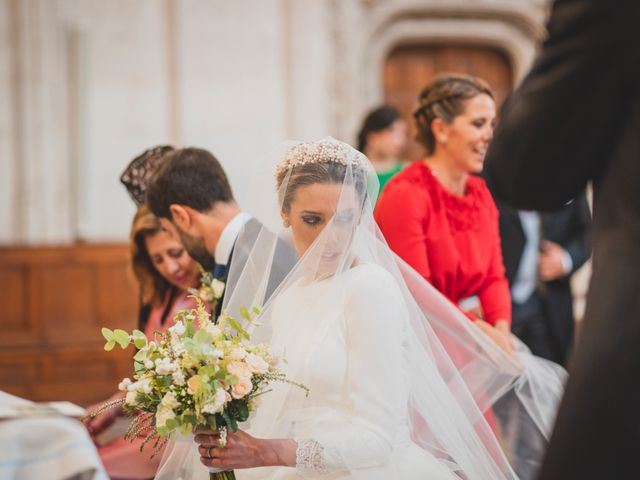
x=322, y=161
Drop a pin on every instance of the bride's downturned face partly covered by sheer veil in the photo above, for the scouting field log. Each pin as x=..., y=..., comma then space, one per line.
x=315, y=207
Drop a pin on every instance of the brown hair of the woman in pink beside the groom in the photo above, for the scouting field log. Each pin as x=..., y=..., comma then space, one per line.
x=153, y=287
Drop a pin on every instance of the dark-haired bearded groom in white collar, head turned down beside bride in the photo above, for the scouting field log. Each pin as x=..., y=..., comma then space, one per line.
x=191, y=190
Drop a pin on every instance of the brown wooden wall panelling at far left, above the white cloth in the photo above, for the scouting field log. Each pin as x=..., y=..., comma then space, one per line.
x=53, y=303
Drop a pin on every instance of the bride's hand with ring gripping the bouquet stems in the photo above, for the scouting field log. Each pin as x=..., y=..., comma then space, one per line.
x=244, y=451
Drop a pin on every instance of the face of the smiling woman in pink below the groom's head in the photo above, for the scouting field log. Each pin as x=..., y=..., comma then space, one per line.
x=171, y=260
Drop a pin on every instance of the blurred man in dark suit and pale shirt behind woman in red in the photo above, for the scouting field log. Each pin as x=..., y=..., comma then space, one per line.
x=541, y=252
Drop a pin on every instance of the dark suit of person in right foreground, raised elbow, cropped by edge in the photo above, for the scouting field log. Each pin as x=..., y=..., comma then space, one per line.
x=575, y=119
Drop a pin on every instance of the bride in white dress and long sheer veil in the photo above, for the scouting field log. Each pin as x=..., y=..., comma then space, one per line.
x=399, y=386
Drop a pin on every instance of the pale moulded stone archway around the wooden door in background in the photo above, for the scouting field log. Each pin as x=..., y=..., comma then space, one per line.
x=514, y=28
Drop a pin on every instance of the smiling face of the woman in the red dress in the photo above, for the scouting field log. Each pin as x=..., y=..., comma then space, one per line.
x=465, y=141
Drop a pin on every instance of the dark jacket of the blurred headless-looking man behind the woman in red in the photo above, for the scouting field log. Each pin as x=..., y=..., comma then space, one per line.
x=568, y=227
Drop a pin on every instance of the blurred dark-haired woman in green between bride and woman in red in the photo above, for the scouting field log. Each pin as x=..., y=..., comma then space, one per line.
x=382, y=138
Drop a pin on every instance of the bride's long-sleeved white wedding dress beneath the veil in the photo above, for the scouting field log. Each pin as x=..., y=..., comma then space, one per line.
x=355, y=417
